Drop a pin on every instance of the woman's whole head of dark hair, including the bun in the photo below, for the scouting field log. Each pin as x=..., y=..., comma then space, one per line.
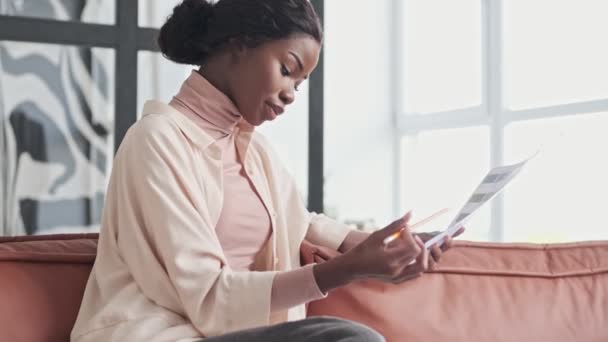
x=198, y=28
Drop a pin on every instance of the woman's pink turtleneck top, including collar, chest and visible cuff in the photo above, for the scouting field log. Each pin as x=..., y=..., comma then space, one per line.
x=244, y=226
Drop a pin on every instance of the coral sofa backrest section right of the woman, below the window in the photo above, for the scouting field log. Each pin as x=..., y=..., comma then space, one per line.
x=484, y=292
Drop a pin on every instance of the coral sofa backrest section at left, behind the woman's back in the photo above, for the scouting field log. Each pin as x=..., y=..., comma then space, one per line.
x=42, y=281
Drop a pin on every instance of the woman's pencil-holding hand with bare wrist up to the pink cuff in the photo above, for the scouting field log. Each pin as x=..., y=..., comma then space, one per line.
x=373, y=259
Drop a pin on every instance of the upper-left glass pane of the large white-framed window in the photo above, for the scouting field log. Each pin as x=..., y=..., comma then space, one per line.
x=443, y=55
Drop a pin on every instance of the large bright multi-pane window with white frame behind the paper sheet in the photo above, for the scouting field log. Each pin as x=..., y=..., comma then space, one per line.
x=490, y=82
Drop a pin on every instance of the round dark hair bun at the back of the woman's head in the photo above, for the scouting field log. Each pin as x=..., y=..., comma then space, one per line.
x=182, y=36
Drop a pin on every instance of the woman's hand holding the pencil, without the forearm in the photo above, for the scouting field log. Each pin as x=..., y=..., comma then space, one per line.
x=393, y=262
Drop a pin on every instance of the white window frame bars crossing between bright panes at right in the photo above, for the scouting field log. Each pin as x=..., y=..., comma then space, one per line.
x=491, y=112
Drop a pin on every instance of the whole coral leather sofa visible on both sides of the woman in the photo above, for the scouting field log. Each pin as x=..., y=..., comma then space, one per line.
x=479, y=292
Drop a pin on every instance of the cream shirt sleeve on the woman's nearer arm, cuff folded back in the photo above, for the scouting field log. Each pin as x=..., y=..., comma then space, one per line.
x=165, y=199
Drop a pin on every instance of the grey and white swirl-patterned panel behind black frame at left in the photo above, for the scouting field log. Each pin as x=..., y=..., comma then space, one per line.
x=57, y=113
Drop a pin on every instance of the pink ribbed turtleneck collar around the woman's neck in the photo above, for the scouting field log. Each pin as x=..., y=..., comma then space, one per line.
x=200, y=100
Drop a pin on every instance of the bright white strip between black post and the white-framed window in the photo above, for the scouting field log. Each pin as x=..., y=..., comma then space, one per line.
x=358, y=117
